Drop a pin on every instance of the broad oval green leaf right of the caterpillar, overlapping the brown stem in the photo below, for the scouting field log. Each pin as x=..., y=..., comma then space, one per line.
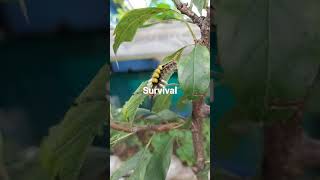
x=194, y=72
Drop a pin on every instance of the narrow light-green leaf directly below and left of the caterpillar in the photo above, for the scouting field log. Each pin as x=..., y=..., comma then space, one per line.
x=131, y=106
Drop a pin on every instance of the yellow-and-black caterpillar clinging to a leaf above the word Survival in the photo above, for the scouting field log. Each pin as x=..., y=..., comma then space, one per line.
x=159, y=75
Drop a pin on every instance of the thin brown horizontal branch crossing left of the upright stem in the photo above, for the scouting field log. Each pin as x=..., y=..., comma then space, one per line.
x=134, y=129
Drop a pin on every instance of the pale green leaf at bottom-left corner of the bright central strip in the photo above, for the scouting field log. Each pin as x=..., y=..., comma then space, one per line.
x=137, y=163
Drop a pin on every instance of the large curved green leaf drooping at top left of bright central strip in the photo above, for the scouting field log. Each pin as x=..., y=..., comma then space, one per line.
x=131, y=21
